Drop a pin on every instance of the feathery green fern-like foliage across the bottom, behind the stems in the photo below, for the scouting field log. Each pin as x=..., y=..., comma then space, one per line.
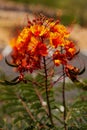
x=16, y=101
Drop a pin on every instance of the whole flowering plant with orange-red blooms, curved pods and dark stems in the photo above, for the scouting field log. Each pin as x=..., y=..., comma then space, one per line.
x=41, y=48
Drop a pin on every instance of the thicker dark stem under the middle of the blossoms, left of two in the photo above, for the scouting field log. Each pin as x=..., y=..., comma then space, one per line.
x=47, y=96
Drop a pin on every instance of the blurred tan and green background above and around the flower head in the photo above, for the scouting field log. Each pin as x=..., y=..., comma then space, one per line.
x=72, y=13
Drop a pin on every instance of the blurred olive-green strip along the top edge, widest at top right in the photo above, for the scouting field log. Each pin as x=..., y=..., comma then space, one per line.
x=73, y=10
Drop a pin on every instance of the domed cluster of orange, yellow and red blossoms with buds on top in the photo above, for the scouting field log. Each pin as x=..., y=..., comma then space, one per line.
x=33, y=41
